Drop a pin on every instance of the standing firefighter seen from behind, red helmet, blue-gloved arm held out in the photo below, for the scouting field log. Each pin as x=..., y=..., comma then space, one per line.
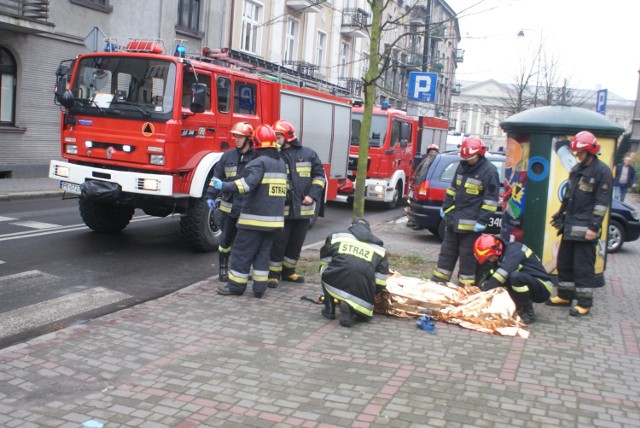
x=264, y=181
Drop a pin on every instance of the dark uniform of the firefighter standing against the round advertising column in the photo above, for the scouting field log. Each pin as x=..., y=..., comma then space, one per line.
x=584, y=206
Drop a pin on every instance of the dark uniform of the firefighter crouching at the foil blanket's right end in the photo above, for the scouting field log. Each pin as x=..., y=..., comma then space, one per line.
x=520, y=271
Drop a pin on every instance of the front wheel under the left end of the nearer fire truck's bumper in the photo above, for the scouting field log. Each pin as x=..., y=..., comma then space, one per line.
x=105, y=218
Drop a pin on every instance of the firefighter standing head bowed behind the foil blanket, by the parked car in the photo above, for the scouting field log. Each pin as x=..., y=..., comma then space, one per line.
x=467, y=207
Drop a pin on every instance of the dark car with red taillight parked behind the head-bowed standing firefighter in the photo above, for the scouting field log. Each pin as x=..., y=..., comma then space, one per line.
x=429, y=184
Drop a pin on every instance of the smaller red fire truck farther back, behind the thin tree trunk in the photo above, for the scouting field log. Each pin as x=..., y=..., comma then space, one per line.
x=394, y=150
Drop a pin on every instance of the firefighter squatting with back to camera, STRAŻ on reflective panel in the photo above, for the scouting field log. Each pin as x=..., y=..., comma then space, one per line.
x=354, y=267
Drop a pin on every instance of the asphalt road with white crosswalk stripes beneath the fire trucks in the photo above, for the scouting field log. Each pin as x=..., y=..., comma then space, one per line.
x=56, y=272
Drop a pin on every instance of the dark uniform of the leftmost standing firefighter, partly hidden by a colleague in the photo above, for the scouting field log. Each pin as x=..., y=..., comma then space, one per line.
x=230, y=166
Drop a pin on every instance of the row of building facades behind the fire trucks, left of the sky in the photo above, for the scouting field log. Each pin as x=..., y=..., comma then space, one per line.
x=324, y=40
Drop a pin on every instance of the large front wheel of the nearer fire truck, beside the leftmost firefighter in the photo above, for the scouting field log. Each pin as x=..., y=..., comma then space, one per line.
x=198, y=227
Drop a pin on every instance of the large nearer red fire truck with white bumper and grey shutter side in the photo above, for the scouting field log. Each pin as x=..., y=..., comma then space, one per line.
x=143, y=129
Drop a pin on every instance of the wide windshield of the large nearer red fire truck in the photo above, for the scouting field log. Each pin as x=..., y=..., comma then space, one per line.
x=135, y=87
